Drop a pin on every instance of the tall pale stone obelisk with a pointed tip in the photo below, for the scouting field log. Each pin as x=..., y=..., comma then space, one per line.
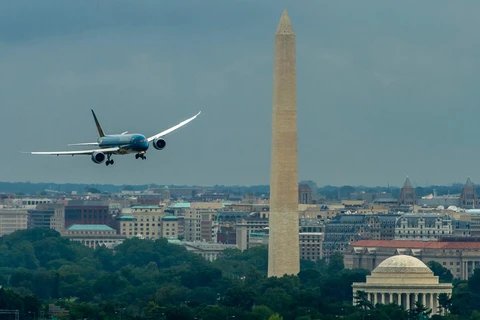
x=283, y=250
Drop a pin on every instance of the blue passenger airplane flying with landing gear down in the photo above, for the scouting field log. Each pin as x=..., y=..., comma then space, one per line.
x=119, y=144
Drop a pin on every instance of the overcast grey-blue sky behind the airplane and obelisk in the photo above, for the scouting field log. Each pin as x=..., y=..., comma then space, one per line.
x=385, y=89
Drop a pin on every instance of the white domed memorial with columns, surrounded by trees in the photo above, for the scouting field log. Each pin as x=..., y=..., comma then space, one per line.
x=403, y=280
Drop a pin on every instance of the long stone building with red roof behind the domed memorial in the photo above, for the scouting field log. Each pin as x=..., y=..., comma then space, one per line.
x=460, y=256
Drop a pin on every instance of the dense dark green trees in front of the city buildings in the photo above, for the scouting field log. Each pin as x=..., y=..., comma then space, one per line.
x=143, y=279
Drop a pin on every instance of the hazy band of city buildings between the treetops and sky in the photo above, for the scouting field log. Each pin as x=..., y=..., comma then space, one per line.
x=364, y=226
